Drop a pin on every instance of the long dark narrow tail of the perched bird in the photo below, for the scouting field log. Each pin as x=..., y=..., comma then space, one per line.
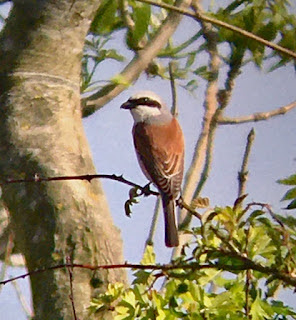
x=171, y=232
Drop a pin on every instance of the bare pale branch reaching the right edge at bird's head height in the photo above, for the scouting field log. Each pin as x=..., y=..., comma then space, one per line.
x=258, y=116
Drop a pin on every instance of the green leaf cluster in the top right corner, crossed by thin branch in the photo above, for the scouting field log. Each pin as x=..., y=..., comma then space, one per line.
x=270, y=20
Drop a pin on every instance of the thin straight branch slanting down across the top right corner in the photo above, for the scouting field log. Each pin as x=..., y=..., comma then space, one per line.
x=225, y=25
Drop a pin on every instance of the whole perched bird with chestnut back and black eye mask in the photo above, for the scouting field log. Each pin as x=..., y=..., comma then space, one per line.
x=159, y=144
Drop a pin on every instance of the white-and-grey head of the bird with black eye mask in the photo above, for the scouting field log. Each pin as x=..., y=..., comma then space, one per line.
x=147, y=106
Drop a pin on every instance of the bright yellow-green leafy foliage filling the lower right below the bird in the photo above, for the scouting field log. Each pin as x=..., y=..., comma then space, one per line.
x=220, y=275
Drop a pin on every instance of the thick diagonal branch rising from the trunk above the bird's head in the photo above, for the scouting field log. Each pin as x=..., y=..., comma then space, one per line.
x=140, y=62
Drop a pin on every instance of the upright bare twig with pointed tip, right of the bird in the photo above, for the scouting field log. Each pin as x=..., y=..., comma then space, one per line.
x=243, y=173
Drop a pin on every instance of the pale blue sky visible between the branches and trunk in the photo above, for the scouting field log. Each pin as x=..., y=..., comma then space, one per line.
x=272, y=156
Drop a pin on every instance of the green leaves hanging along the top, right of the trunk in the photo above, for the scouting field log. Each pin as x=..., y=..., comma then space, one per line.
x=271, y=20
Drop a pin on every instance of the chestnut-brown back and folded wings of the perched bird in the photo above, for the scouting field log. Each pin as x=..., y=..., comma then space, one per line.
x=160, y=150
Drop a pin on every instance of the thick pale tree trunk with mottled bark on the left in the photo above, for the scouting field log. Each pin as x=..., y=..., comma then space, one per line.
x=41, y=133
